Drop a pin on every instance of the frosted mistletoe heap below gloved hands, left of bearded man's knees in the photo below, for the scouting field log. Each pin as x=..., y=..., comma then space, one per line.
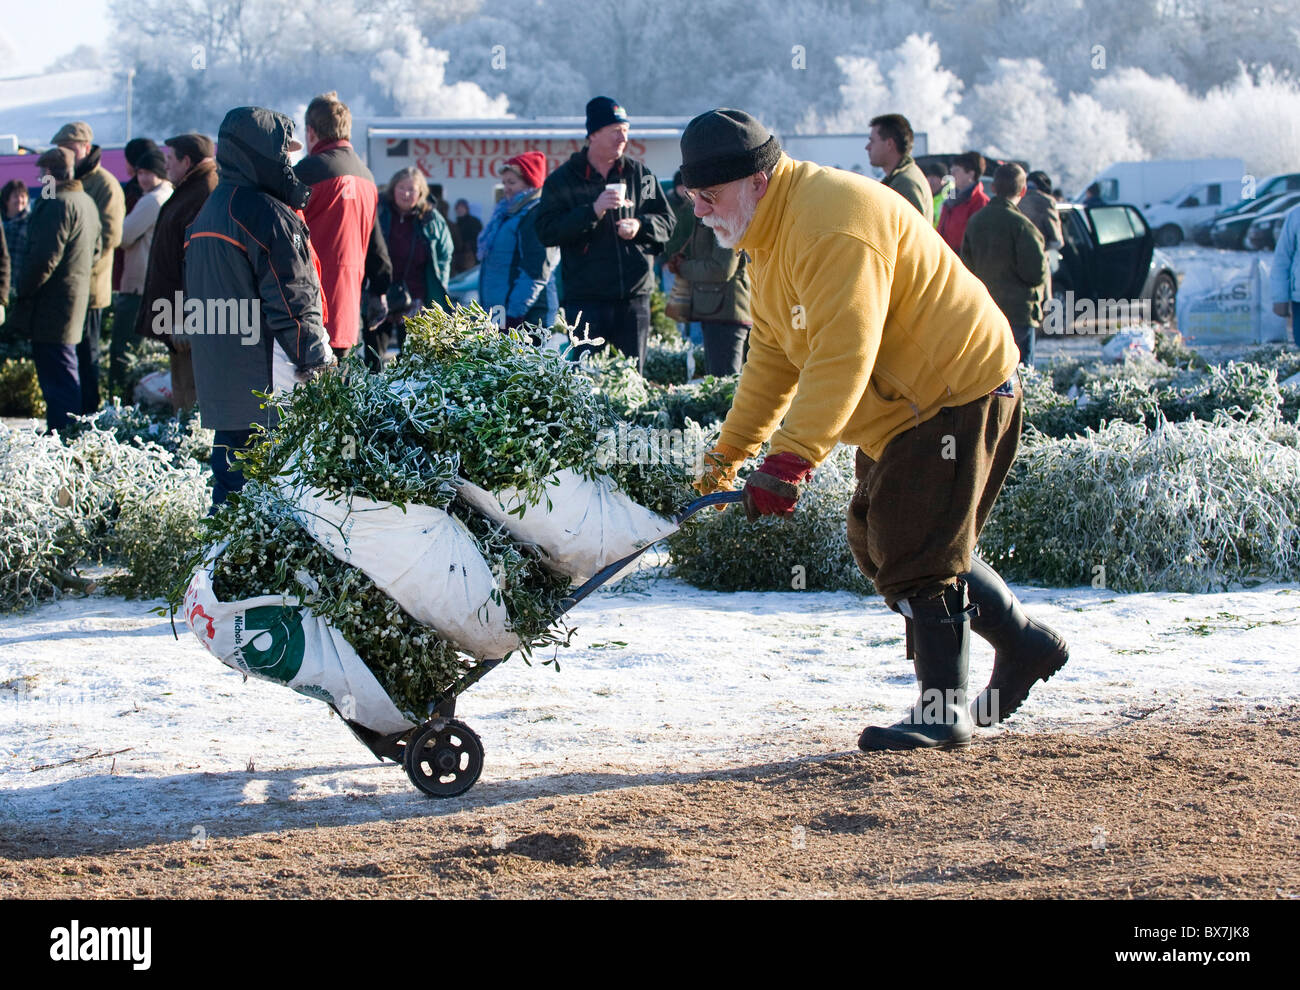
x=723, y=552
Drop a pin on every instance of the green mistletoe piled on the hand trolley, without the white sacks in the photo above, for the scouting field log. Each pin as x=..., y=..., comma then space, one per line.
x=463, y=402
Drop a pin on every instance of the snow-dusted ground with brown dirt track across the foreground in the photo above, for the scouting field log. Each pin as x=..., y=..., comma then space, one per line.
x=694, y=745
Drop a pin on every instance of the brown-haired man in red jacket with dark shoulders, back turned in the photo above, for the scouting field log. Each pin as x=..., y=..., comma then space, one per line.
x=341, y=219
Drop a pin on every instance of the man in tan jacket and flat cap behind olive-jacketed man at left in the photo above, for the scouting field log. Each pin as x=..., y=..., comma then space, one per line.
x=106, y=192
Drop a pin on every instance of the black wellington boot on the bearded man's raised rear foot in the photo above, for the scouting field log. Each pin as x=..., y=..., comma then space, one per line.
x=1025, y=652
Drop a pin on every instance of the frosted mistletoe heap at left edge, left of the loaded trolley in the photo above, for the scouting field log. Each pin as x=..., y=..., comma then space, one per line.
x=94, y=500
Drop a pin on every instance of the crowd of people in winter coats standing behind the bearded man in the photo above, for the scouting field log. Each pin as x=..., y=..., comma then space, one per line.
x=591, y=240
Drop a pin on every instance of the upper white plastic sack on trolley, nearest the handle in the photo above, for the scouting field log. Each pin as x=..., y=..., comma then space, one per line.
x=580, y=526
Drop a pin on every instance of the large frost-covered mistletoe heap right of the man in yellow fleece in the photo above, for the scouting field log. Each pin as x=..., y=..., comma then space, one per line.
x=1186, y=507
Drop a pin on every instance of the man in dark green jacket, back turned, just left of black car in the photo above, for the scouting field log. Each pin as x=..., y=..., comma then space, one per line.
x=1006, y=250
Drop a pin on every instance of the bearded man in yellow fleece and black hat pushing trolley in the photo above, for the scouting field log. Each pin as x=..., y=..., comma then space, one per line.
x=870, y=331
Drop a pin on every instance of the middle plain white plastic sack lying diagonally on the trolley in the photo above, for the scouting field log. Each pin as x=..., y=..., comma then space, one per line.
x=422, y=558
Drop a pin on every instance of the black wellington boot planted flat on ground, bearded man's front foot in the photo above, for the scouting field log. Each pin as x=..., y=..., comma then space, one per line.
x=941, y=636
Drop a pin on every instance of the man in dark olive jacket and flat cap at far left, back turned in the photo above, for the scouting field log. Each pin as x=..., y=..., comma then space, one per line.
x=53, y=292
